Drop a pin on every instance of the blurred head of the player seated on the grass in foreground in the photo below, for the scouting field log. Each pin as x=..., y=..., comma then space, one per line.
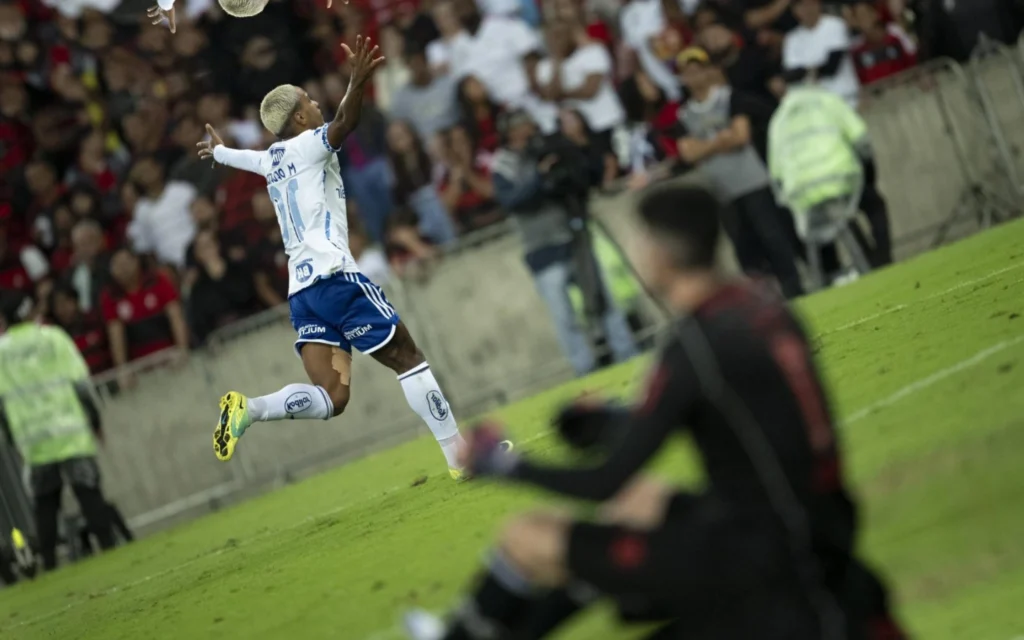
x=679, y=239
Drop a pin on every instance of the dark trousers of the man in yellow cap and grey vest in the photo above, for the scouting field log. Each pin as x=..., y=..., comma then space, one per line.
x=761, y=238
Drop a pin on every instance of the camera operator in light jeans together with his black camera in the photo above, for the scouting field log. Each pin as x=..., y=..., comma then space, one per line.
x=544, y=185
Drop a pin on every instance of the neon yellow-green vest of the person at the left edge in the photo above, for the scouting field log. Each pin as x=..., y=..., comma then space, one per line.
x=39, y=367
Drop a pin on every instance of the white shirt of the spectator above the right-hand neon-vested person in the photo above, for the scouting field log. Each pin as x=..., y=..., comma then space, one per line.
x=809, y=49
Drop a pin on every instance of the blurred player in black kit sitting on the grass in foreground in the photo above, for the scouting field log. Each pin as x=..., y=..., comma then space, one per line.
x=765, y=551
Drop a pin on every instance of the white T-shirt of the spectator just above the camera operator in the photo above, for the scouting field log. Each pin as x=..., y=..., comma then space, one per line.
x=603, y=112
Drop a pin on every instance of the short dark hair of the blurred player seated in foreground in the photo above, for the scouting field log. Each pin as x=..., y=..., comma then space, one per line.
x=688, y=218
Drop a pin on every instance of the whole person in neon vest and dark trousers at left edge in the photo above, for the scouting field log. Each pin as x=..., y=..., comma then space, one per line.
x=48, y=412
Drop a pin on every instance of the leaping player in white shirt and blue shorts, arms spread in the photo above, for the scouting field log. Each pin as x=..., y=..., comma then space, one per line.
x=334, y=308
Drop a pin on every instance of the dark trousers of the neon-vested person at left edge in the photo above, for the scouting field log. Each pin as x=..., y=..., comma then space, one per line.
x=48, y=487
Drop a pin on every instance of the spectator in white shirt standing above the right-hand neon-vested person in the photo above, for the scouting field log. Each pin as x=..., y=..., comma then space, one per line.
x=819, y=51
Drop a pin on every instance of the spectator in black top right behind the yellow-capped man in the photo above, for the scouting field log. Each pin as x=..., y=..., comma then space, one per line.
x=749, y=67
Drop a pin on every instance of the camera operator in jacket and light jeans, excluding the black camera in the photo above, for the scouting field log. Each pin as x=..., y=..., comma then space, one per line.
x=549, y=243
